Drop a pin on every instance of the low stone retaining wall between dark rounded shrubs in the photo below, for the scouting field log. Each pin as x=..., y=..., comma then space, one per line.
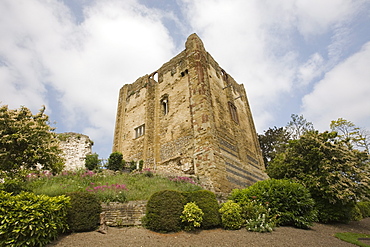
x=124, y=214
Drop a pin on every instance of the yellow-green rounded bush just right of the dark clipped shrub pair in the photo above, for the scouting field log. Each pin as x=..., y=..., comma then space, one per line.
x=231, y=215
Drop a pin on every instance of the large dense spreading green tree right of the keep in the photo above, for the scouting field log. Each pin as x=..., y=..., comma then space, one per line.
x=335, y=175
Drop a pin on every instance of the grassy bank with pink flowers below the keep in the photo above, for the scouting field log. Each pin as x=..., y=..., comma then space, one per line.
x=109, y=186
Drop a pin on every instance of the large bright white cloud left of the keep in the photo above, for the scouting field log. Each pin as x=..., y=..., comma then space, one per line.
x=41, y=47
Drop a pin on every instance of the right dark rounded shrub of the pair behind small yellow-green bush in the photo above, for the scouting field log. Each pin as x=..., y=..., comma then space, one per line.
x=206, y=200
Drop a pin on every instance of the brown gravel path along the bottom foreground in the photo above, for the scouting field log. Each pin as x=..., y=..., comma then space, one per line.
x=319, y=235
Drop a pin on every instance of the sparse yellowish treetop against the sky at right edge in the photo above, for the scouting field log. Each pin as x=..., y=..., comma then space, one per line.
x=352, y=135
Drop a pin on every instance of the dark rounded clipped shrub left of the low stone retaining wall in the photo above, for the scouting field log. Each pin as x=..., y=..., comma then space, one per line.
x=84, y=213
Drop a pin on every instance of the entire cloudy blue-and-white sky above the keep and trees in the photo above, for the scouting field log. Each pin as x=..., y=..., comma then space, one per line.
x=309, y=57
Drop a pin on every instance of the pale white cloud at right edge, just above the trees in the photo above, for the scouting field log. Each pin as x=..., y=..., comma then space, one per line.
x=342, y=93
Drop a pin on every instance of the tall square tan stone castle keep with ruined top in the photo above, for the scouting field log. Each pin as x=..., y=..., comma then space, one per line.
x=190, y=118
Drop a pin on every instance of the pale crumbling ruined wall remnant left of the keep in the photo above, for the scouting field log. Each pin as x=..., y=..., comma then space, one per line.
x=75, y=147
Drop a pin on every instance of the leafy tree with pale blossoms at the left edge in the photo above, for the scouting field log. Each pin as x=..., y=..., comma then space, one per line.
x=27, y=141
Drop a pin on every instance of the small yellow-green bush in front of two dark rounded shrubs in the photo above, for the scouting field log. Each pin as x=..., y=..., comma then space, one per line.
x=192, y=216
